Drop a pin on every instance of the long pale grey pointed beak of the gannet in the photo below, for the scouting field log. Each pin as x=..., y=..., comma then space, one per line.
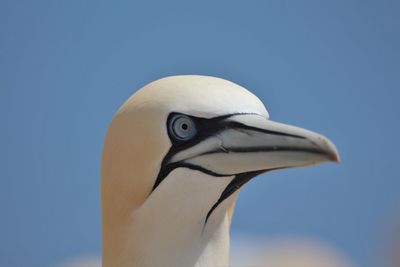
x=250, y=143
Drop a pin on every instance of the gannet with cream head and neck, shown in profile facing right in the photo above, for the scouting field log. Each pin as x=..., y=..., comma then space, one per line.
x=175, y=156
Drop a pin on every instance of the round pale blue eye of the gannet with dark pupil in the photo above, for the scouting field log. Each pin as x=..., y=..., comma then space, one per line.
x=182, y=127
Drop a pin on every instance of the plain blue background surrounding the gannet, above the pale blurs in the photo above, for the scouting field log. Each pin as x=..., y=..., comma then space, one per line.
x=66, y=66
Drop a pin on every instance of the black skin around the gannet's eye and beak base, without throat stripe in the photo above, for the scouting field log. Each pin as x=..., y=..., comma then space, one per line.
x=205, y=128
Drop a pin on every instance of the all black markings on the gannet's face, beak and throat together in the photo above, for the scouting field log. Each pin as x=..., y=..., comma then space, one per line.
x=207, y=127
